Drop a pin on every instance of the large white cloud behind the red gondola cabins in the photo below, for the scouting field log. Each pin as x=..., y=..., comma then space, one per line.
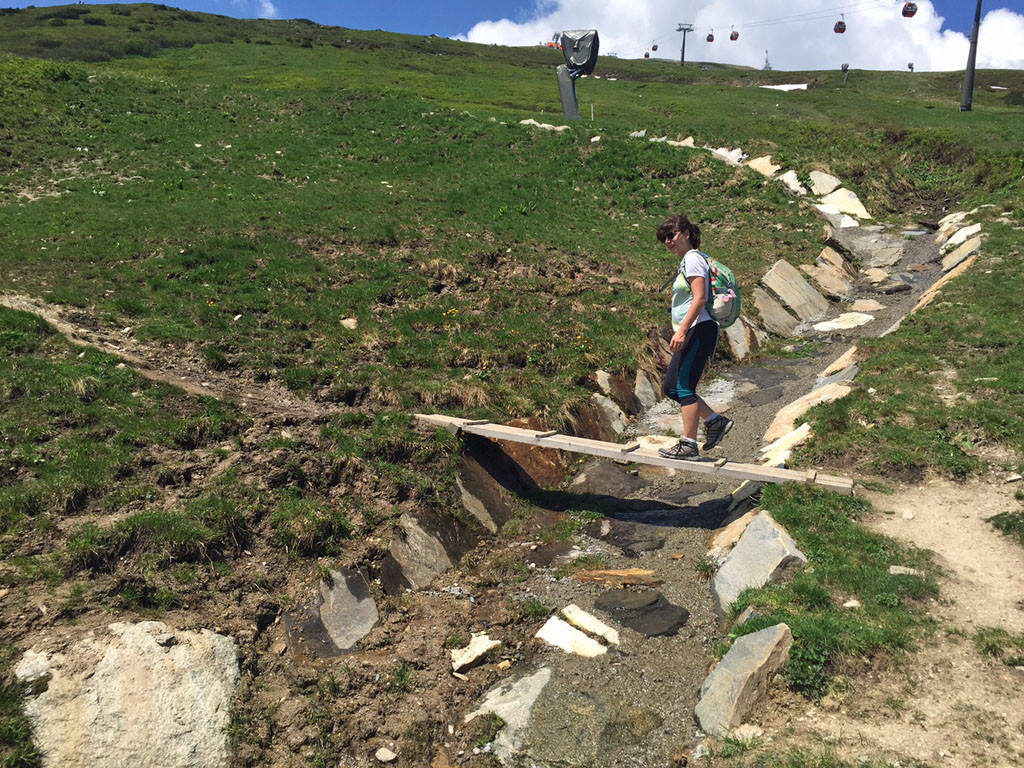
x=878, y=36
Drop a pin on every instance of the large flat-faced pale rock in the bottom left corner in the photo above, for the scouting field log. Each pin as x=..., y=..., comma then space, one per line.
x=124, y=701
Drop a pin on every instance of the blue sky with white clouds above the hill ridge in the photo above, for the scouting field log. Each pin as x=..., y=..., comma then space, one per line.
x=796, y=34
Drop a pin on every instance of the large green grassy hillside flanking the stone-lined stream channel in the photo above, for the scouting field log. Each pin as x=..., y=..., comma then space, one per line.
x=229, y=192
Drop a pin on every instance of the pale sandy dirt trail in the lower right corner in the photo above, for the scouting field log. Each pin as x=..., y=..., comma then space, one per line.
x=948, y=704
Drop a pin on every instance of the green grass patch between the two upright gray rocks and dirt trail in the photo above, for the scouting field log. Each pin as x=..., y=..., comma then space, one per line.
x=846, y=562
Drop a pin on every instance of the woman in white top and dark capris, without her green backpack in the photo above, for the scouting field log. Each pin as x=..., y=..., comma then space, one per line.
x=694, y=342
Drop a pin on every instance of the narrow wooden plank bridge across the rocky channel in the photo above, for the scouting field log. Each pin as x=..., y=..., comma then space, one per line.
x=634, y=452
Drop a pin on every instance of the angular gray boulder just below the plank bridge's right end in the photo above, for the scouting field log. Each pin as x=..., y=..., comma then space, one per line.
x=764, y=553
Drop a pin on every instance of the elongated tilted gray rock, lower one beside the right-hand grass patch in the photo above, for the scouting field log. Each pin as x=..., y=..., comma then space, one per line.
x=741, y=680
